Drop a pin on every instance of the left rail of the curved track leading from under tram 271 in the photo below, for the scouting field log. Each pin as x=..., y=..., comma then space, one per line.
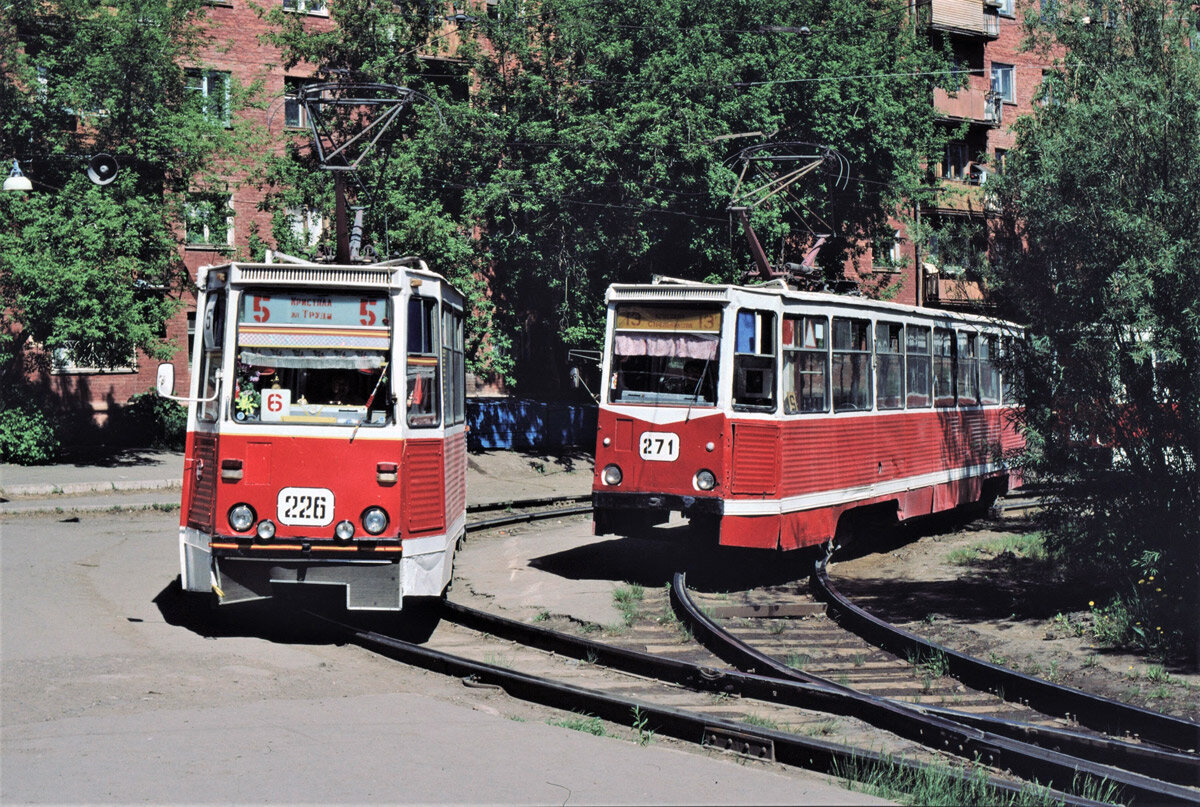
x=1166, y=766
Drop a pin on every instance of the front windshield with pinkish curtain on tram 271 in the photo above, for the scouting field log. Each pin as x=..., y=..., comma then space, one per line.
x=665, y=355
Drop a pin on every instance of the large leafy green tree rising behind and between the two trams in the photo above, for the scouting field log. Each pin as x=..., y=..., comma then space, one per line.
x=596, y=145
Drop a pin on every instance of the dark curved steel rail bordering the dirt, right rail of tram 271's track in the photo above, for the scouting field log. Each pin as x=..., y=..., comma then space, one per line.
x=1094, y=712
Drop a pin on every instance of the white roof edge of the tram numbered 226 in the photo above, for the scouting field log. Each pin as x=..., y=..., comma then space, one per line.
x=295, y=272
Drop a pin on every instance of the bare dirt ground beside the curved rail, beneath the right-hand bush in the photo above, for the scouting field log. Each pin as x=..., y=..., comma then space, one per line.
x=1004, y=608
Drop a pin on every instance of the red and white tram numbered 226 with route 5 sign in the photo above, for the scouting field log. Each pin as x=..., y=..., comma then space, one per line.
x=326, y=432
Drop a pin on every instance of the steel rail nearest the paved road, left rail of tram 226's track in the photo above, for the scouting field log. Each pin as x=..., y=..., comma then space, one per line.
x=711, y=732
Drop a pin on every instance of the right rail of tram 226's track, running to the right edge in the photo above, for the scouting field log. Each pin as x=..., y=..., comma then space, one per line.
x=916, y=725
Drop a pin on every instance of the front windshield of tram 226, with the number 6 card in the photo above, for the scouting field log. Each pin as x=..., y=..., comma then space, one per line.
x=313, y=358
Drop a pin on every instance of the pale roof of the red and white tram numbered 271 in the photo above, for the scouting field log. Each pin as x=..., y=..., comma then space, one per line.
x=670, y=290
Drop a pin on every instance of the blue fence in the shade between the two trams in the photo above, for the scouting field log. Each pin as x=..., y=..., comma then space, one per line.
x=514, y=423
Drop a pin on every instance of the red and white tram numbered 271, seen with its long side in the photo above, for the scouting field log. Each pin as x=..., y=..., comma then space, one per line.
x=771, y=415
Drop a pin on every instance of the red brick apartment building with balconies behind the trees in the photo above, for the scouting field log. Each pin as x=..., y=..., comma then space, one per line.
x=985, y=37
